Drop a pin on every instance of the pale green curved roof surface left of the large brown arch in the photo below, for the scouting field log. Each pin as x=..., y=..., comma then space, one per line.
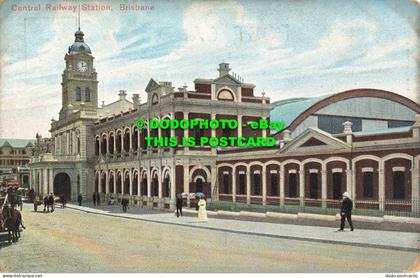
x=289, y=109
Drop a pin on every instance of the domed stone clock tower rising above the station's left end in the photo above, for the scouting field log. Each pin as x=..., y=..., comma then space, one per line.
x=79, y=79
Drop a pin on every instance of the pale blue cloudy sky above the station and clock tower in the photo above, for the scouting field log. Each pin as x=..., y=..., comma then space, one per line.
x=287, y=48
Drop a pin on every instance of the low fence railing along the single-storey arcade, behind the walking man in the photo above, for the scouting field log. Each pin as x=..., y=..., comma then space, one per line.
x=378, y=208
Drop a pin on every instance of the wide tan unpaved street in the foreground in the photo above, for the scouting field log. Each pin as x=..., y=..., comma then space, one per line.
x=74, y=241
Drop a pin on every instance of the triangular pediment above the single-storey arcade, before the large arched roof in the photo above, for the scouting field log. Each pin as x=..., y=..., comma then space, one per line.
x=314, y=140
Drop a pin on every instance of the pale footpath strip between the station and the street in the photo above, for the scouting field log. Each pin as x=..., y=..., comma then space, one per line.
x=392, y=240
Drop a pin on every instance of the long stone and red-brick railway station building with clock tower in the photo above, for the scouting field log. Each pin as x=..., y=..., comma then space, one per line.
x=364, y=141
